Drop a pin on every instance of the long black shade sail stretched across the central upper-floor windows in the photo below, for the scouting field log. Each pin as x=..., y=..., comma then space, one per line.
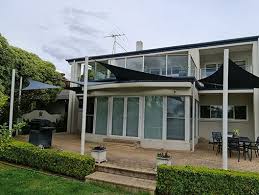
x=124, y=74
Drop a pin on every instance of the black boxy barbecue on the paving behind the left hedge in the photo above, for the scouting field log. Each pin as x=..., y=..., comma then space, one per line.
x=41, y=133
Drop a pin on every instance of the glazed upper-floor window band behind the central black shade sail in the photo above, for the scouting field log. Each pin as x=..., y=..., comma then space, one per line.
x=171, y=65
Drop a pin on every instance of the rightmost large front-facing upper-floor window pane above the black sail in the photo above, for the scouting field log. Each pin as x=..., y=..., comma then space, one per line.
x=177, y=65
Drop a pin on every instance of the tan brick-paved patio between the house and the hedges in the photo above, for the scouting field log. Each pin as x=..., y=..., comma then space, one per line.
x=127, y=155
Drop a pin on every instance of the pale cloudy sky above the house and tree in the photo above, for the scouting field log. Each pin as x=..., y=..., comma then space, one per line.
x=60, y=29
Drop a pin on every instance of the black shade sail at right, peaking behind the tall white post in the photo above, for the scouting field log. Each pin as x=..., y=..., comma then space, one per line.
x=238, y=78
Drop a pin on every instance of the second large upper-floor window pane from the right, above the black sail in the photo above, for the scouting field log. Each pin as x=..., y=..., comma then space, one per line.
x=155, y=64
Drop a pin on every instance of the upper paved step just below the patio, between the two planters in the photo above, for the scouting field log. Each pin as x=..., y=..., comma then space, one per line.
x=130, y=172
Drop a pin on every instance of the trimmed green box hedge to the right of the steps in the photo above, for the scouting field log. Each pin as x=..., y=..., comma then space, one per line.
x=199, y=180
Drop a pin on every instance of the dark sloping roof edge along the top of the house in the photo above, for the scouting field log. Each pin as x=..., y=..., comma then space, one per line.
x=172, y=48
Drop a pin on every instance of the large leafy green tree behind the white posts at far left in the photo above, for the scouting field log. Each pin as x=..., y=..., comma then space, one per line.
x=27, y=65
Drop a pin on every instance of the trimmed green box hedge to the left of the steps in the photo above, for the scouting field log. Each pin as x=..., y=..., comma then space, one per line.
x=66, y=163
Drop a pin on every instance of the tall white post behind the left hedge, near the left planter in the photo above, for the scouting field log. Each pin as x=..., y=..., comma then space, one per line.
x=84, y=107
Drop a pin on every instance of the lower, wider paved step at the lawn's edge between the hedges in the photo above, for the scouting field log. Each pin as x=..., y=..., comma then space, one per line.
x=131, y=184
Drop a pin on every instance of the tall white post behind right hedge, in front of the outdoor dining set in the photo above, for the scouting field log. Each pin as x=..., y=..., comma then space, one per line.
x=225, y=111
